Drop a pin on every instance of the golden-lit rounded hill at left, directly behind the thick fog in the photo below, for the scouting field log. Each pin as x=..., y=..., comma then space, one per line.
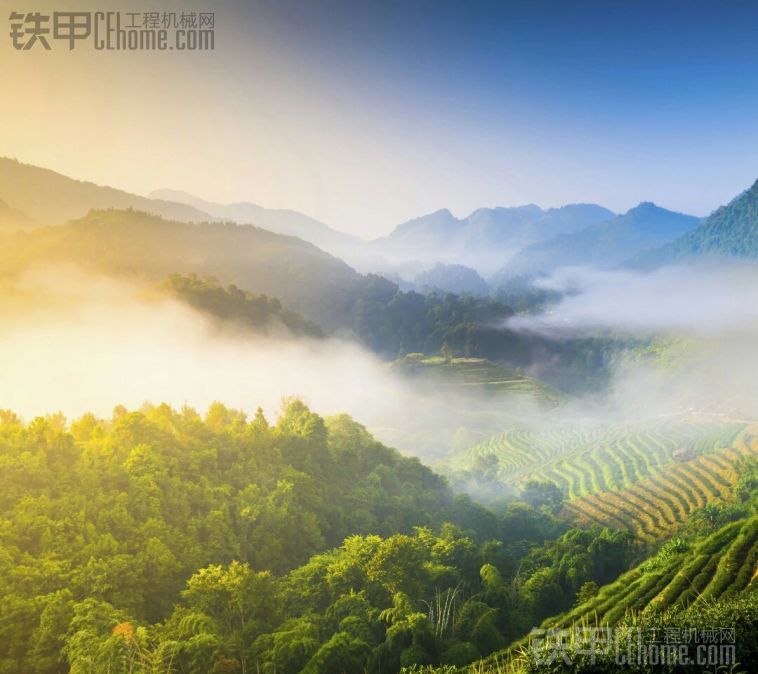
x=132, y=243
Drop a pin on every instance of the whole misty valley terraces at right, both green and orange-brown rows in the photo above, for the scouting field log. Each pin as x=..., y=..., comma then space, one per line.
x=645, y=477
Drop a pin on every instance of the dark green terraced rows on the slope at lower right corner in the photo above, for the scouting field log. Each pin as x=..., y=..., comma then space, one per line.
x=722, y=565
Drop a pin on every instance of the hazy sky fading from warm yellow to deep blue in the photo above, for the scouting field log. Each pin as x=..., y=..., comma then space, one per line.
x=365, y=114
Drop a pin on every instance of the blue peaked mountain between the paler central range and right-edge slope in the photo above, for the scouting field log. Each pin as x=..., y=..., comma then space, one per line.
x=604, y=245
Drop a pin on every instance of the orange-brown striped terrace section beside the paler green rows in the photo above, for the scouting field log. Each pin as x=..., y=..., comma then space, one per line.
x=656, y=505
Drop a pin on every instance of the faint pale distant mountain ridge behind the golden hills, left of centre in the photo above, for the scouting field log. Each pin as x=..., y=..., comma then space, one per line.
x=280, y=221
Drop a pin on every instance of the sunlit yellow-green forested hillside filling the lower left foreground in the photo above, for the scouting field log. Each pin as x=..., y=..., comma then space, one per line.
x=104, y=523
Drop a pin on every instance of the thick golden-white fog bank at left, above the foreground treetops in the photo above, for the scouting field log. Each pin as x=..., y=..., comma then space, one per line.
x=75, y=343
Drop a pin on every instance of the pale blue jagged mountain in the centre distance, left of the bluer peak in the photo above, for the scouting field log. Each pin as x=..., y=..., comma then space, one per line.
x=487, y=237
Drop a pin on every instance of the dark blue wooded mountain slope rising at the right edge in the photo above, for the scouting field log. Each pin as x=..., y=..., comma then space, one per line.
x=730, y=231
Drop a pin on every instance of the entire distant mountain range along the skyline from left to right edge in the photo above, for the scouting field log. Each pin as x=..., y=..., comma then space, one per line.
x=497, y=243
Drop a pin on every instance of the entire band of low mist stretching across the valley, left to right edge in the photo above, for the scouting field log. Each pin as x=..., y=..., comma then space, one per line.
x=76, y=343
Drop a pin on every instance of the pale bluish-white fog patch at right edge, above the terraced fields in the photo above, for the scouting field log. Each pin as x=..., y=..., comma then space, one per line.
x=704, y=317
